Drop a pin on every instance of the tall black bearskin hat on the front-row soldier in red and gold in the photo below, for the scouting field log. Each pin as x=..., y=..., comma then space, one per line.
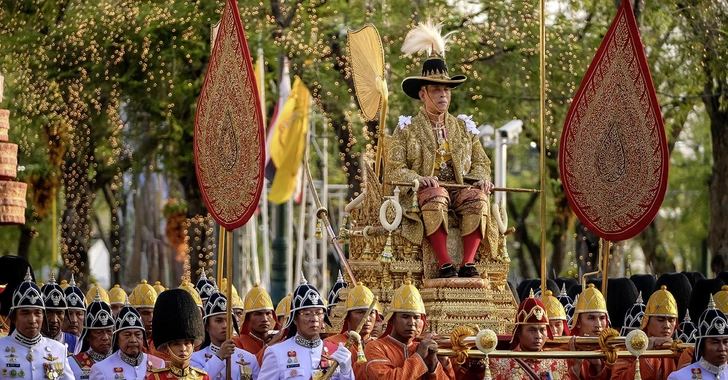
x=176, y=317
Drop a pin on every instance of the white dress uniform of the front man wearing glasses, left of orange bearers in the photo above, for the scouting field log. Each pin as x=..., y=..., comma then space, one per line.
x=290, y=361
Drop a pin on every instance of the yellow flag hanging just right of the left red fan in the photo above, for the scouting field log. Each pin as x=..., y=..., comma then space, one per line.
x=289, y=142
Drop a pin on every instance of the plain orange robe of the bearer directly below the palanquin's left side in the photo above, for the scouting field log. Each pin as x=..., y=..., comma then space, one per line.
x=390, y=359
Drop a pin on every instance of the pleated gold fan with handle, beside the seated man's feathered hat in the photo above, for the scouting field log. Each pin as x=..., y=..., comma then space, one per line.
x=367, y=67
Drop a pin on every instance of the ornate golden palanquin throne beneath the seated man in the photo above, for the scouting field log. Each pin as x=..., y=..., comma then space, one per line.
x=483, y=303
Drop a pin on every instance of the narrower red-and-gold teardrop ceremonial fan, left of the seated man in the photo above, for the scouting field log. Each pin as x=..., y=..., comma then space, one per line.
x=229, y=136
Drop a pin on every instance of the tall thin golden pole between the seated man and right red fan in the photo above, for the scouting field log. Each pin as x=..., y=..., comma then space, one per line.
x=542, y=123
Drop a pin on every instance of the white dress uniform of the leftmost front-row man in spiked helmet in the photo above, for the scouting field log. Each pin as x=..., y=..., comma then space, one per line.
x=45, y=359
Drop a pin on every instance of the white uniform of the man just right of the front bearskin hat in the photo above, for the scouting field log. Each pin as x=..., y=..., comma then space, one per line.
x=245, y=365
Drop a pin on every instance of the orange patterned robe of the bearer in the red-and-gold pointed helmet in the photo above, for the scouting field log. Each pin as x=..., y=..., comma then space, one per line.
x=509, y=369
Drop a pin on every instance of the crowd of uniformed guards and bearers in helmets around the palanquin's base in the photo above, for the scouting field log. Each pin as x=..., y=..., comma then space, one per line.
x=56, y=331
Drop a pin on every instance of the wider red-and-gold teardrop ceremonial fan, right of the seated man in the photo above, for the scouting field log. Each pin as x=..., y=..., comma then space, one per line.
x=613, y=156
